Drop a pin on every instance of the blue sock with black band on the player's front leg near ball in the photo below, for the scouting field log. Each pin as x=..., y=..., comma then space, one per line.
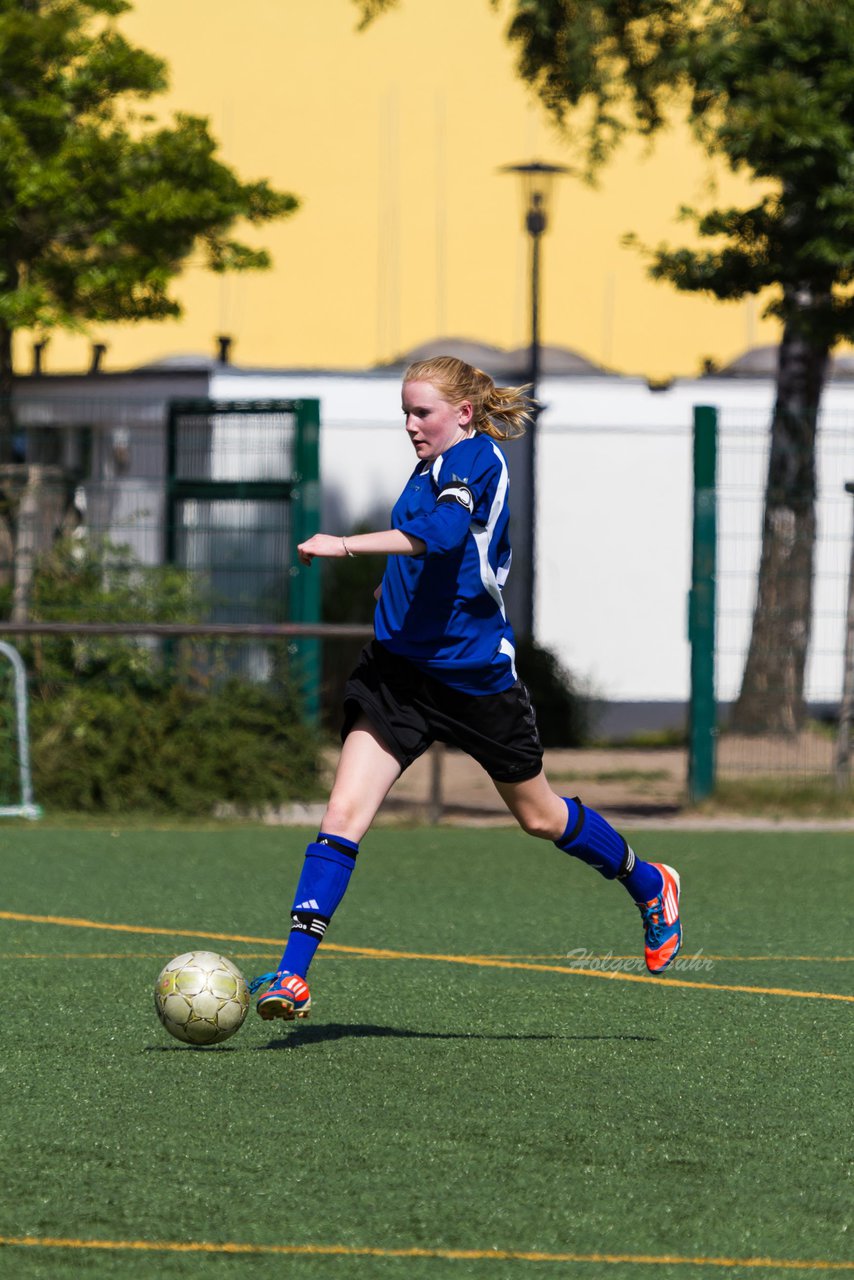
x=326, y=875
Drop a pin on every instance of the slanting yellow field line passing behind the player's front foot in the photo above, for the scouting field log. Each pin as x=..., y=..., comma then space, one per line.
x=481, y=962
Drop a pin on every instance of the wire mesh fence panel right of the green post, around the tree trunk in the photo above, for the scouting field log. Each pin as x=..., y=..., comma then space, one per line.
x=760, y=749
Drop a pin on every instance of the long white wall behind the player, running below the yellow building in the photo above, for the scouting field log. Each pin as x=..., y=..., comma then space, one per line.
x=615, y=514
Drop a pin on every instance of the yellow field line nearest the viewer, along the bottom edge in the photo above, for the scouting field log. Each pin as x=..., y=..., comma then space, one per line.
x=230, y=1247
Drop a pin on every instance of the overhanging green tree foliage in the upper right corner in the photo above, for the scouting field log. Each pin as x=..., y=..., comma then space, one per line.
x=769, y=86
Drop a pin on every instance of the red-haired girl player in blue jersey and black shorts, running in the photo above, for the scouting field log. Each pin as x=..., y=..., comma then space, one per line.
x=441, y=668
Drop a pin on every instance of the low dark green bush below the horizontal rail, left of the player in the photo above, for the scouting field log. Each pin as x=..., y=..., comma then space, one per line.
x=179, y=749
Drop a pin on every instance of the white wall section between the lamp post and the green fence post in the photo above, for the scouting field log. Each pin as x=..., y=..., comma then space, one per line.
x=614, y=537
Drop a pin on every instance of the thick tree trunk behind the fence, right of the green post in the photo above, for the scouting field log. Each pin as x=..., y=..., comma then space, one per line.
x=773, y=689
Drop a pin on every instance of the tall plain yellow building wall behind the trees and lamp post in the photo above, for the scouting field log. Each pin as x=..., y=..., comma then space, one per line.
x=392, y=139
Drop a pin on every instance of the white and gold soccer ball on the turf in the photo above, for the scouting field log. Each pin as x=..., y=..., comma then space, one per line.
x=202, y=999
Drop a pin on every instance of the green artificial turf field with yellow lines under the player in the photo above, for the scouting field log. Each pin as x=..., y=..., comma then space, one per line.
x=477, y=1098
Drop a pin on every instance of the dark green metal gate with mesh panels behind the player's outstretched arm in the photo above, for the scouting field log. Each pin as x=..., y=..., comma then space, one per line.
x=243, y=491
